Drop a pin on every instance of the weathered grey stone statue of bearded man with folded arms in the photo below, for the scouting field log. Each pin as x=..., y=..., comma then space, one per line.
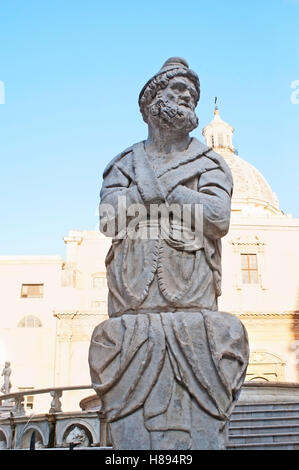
x=167, y=366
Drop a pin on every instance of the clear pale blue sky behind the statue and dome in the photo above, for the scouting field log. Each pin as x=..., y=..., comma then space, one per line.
x=73, y=71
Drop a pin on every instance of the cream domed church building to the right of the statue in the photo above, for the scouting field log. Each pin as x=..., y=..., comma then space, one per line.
x=259, y=263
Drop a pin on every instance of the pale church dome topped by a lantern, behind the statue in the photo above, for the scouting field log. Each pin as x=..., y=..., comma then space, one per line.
x=250, y=187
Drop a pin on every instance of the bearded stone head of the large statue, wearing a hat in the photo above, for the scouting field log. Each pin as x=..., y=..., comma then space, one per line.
x=169, y=98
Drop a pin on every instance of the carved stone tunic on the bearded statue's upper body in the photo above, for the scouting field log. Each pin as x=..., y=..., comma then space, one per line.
x=161, y=274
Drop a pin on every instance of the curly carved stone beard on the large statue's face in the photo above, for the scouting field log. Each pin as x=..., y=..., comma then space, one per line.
x=171, y=116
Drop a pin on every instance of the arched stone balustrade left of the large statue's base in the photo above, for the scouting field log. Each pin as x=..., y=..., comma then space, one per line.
x=54, y=429
